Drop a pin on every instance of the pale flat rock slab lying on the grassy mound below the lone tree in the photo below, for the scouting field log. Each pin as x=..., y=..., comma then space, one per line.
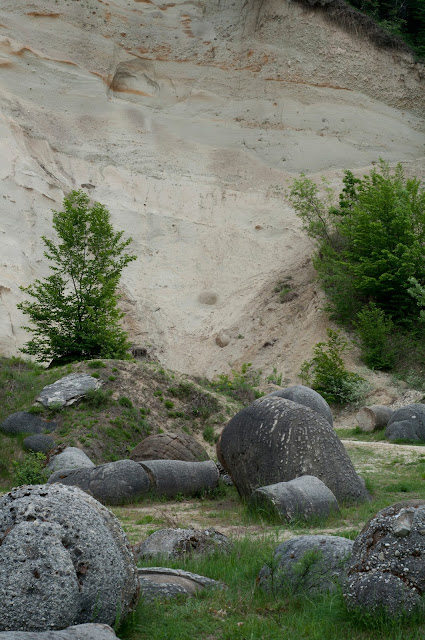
x=67, y=390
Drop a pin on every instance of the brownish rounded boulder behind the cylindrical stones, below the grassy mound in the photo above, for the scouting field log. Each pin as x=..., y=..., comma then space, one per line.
x=169, y=446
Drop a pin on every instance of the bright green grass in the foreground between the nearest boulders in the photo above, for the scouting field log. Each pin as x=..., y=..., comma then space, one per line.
x=243, y=611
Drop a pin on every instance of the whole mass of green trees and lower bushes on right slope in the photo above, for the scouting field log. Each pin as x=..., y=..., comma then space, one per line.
x=370, y=259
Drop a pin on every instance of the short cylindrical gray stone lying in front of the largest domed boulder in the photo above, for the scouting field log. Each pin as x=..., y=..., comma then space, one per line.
x=304, y=498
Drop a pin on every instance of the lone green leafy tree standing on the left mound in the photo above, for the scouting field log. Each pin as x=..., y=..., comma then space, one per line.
x=74, y=311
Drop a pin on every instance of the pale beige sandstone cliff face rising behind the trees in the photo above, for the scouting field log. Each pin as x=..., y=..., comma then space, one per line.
x=188, y=120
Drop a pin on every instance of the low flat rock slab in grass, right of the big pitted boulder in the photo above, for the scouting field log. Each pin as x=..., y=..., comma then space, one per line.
x=160, y=582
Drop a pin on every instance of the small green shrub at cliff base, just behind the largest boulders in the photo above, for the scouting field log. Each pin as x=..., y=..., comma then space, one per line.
x=326, y=372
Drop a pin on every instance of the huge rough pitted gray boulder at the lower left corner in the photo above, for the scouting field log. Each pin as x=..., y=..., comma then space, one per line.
x=64, y=560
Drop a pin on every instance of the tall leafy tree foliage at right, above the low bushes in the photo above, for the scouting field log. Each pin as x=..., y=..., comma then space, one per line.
x=371, y=244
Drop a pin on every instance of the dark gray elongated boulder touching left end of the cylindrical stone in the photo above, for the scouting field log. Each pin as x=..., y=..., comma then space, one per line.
x=112, y=483
